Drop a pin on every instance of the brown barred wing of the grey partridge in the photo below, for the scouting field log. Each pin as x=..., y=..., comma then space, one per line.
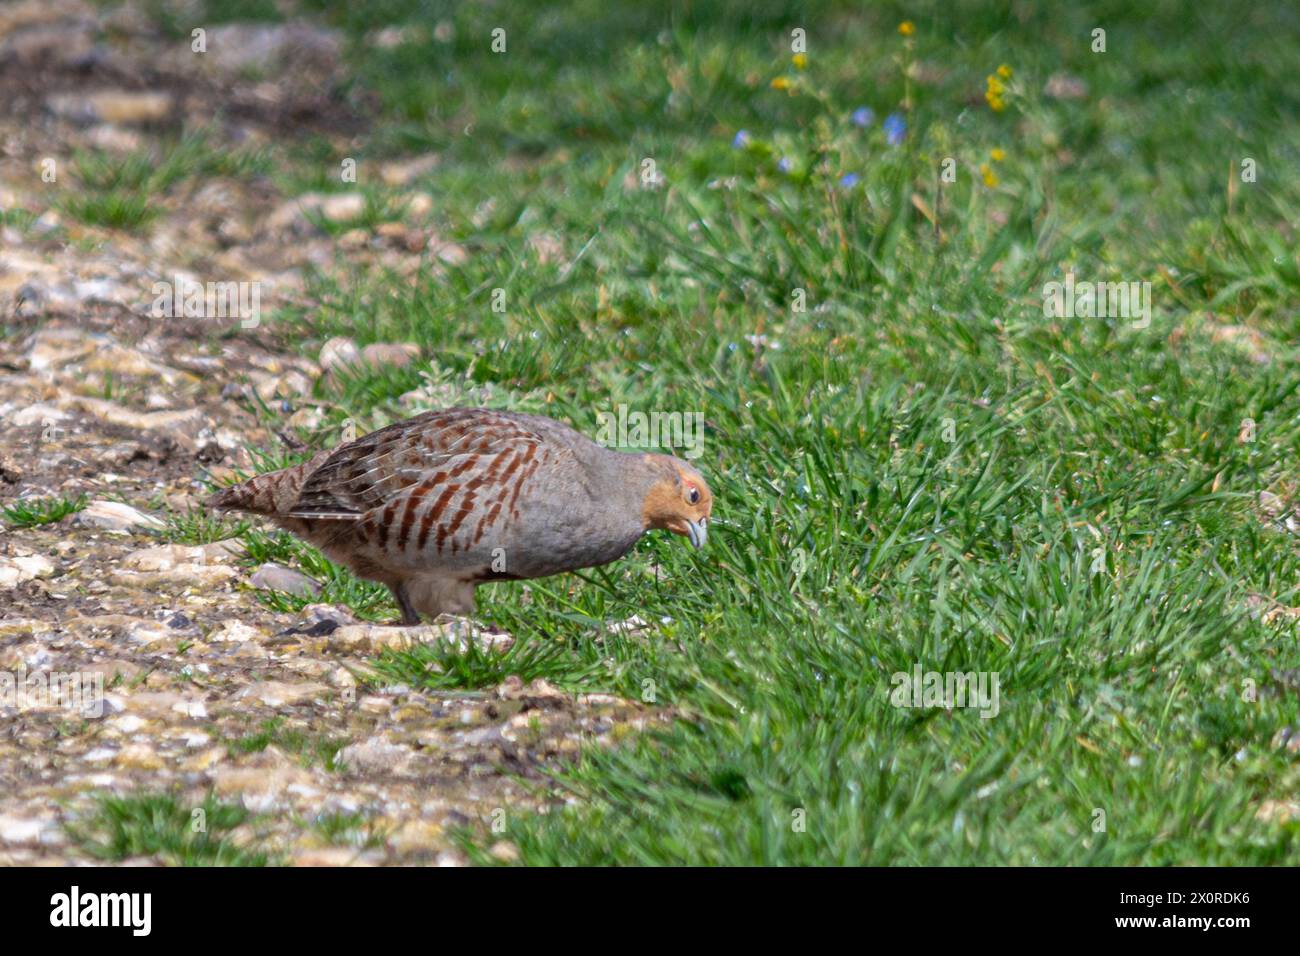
x=435, y=483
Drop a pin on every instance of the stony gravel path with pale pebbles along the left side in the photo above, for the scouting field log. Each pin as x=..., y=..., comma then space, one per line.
x=205, y=690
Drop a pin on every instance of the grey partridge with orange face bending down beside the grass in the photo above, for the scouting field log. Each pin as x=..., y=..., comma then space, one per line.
x=440, y=504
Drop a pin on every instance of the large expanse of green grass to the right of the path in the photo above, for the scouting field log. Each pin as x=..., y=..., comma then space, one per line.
x=918, y=468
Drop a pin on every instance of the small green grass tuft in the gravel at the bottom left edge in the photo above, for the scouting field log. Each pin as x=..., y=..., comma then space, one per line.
x=164, y=828
